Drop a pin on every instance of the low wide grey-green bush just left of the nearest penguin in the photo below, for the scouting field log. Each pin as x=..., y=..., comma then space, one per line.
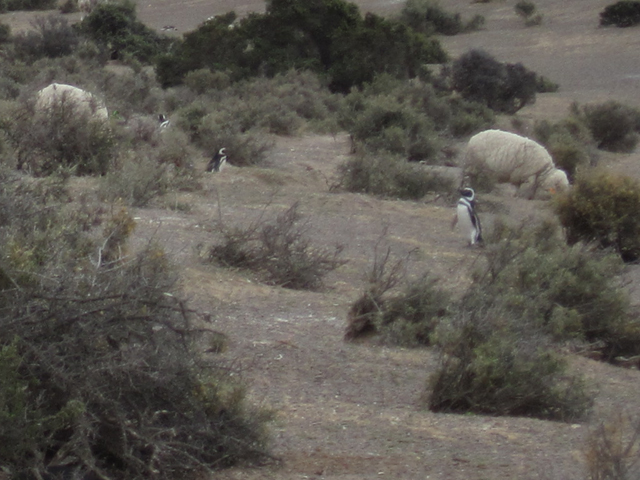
x=390, y=176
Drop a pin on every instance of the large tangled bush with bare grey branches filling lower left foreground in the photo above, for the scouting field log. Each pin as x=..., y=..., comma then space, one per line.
x=100, y=375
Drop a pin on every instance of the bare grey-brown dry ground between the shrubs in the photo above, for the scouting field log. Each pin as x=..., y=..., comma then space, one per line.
x=352, y=411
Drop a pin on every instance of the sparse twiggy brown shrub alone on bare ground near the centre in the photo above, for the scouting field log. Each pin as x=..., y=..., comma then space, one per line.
x=280, y=251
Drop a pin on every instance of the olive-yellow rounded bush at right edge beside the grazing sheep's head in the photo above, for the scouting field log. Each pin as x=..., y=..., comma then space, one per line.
x=601, y=208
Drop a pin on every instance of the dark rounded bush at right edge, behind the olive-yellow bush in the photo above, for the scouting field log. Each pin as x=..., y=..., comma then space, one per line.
x=614, y=126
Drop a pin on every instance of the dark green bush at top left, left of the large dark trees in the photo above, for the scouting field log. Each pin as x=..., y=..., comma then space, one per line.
x=116, y=27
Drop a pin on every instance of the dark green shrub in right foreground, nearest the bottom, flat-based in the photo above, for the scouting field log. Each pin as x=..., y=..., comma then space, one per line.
x=491, y=365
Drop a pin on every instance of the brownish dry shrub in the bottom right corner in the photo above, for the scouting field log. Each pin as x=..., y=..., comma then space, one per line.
x=612, y=451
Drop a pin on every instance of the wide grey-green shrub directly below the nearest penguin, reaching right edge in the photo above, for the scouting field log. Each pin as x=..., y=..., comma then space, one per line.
x=565, y=292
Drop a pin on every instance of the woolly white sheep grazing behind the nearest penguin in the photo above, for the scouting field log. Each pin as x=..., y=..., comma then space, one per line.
x=517, y=160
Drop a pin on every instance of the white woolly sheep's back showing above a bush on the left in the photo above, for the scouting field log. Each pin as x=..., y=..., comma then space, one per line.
x=82, y=102
